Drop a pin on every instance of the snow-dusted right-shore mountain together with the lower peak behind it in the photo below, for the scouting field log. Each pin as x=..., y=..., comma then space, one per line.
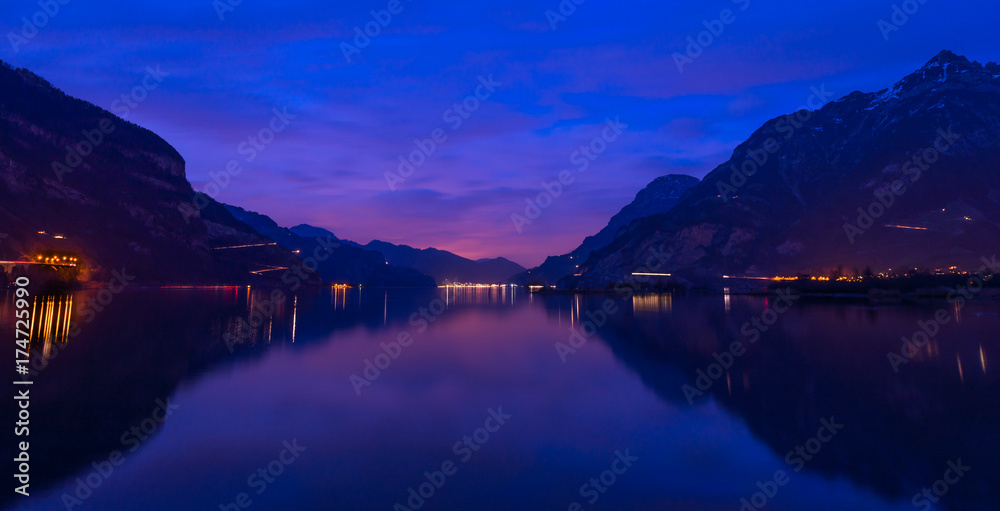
x=902, y=178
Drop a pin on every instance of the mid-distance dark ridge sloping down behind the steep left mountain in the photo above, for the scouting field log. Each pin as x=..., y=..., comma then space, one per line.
x=341, y=262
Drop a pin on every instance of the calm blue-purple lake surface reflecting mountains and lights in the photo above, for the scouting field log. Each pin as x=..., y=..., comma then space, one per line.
x=239, y=397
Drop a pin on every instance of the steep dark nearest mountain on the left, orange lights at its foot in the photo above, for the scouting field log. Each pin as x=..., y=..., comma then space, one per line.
x=77, y=181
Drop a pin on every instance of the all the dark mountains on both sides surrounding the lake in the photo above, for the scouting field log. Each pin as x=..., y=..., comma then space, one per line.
x=899, y=179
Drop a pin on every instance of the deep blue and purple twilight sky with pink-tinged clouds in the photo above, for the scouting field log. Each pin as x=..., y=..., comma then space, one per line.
x=549, y=75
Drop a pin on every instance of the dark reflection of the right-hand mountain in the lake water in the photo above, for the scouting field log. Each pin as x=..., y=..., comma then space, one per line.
x=822, y=360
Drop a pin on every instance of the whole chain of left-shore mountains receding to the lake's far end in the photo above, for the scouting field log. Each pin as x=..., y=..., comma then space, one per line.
x=77, y=181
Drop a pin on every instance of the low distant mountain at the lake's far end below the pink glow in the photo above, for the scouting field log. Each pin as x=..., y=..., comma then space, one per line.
x=447, y=267
